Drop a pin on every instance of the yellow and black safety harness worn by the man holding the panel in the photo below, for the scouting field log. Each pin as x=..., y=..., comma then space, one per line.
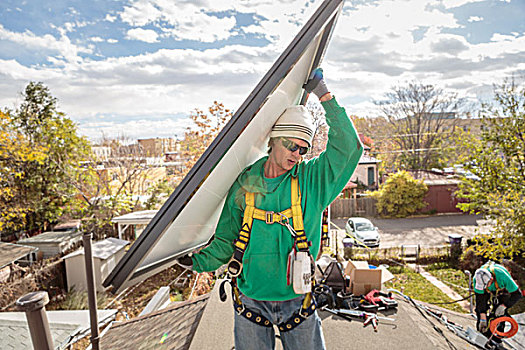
x=301, y=242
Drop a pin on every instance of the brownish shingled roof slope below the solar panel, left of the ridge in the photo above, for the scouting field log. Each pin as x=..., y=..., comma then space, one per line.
x=169, y=328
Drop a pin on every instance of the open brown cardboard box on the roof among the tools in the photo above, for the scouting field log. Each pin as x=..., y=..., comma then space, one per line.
x=363, y=278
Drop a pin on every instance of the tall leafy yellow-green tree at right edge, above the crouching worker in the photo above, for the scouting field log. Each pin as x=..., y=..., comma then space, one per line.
x=498, y=161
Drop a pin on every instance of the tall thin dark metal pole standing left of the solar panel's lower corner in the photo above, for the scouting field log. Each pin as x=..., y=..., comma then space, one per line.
x=92, y=291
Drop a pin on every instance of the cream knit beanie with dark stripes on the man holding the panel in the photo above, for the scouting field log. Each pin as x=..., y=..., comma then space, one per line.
x=295, y=122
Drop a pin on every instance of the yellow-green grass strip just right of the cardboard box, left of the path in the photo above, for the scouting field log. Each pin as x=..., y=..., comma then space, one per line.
x=417, y=287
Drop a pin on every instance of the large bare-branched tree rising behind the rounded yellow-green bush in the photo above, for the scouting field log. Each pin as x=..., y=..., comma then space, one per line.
x=420, y=119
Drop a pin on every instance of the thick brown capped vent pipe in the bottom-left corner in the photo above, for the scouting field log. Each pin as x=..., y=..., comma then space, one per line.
x=34, y=305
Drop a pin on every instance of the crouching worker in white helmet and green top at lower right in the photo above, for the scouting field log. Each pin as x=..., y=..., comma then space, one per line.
x=494, y=287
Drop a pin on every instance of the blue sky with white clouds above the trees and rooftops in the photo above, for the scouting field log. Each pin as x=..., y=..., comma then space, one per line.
x=138, y=68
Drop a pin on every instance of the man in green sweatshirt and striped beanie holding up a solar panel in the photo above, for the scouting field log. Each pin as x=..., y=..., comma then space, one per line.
x=269, y=231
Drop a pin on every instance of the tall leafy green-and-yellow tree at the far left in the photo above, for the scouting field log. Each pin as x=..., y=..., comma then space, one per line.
x=45, y=185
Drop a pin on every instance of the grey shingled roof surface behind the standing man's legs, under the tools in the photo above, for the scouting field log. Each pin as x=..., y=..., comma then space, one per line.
x=410, y=331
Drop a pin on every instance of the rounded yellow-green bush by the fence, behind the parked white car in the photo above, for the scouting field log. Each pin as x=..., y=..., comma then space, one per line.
x=401, y=195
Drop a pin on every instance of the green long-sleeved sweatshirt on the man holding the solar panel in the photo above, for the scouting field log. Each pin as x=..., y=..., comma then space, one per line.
x=320, y=179
